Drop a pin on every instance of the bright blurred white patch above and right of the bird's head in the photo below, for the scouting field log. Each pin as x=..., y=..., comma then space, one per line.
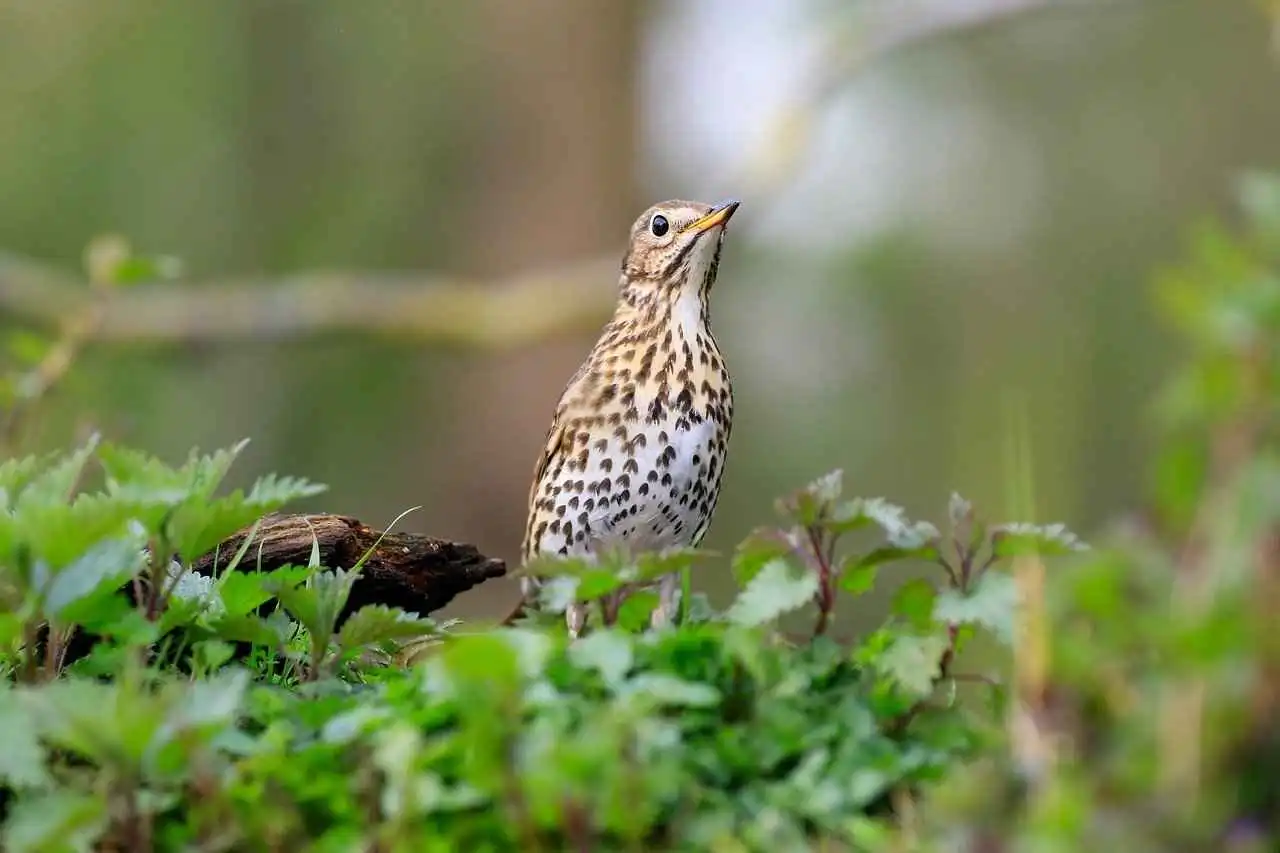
x=729, y=99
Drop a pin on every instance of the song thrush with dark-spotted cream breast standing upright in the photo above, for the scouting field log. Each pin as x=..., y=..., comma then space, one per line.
x=636, y=453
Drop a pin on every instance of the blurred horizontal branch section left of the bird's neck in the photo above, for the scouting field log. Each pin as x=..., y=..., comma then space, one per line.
x=415, y=305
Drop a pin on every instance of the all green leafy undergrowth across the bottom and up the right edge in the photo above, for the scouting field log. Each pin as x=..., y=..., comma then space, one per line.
x=1133, y=711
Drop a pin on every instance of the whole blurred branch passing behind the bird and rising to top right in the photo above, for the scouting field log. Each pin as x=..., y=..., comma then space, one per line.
x=440, y=309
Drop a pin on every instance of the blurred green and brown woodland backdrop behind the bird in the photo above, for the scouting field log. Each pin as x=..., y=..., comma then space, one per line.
x=940, y=240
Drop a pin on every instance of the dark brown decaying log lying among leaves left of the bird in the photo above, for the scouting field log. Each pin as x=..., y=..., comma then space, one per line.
x=415, y=573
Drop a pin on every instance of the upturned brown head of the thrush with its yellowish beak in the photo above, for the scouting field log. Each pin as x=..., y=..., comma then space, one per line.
x=675, y=250
